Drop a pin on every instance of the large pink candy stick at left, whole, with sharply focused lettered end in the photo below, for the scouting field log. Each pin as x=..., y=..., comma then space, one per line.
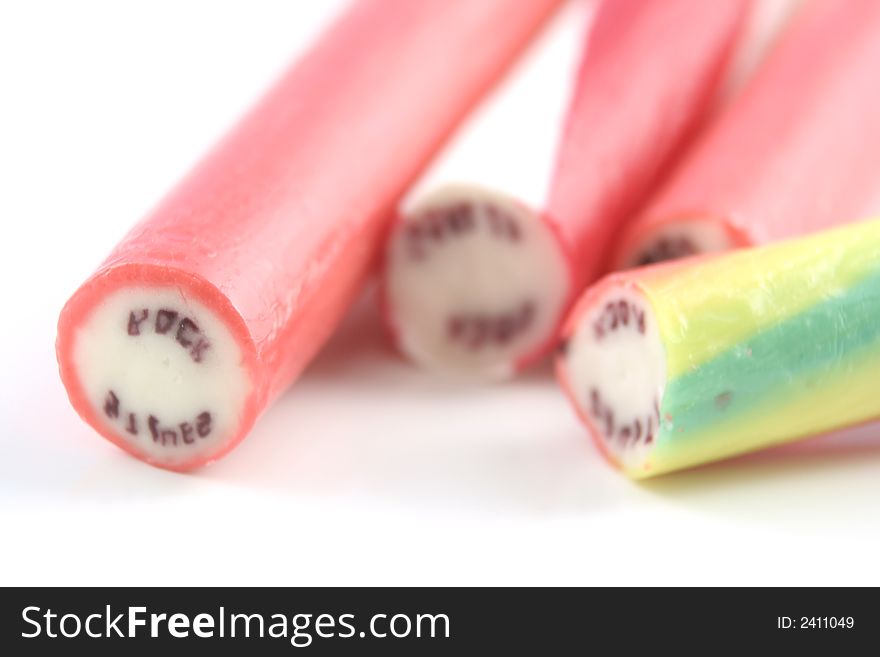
x=216, y=301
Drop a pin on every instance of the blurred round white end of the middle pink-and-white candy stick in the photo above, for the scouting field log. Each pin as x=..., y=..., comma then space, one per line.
x=475, y=281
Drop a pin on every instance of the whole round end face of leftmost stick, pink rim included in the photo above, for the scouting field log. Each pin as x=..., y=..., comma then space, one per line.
x=159, y=364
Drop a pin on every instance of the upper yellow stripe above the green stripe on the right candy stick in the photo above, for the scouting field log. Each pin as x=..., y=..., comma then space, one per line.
x=718, y=302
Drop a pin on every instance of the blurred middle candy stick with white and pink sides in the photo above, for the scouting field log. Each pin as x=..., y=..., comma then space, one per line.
x=516, y=216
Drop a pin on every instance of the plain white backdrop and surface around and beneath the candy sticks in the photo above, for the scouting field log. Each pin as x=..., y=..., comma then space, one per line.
x=367, y=471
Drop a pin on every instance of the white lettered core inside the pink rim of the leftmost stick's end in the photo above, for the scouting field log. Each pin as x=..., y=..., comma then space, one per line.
x=163, y=372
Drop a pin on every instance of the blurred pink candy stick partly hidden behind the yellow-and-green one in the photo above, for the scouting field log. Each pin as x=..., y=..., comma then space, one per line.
x=798, y=151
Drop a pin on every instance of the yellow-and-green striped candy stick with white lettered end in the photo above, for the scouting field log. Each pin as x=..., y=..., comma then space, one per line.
x=692, y=361
